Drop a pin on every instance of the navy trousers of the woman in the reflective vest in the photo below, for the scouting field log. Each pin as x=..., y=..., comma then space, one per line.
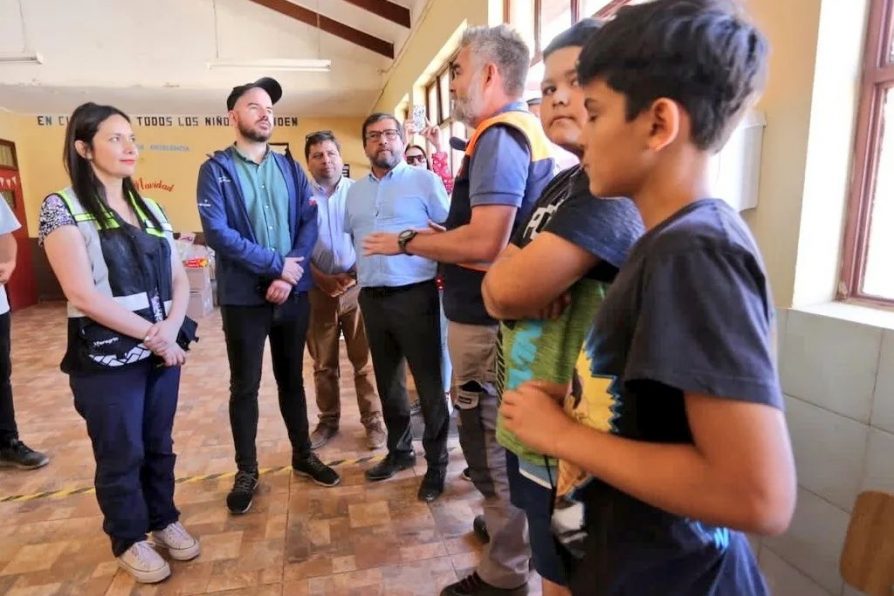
x=129, y=415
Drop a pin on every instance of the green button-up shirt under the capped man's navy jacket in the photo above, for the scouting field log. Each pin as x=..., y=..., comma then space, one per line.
x=266, y=200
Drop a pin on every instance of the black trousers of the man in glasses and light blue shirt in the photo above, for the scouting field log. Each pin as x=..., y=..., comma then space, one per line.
x=404, y=323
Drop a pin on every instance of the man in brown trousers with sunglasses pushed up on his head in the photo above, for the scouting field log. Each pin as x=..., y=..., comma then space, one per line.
x=333, y=299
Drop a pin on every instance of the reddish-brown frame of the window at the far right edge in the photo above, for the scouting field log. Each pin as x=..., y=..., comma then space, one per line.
x=877, y=80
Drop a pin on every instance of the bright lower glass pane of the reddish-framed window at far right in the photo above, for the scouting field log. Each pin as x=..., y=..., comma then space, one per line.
x=878, y=280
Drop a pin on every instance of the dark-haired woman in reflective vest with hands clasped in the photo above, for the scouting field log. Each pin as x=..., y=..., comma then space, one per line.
x=113, y=254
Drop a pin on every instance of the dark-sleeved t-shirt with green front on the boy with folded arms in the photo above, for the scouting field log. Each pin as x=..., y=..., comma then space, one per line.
x=547, y=350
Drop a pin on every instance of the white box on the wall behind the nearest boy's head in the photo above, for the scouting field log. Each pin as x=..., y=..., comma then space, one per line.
x=735, y=170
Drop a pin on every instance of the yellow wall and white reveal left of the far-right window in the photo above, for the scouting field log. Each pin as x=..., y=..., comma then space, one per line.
x=810, y=101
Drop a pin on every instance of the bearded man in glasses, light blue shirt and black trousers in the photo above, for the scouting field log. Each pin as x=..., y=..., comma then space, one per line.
x=399, y=299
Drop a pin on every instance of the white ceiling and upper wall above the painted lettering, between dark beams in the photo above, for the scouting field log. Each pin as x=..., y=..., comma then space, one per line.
x=151, y=56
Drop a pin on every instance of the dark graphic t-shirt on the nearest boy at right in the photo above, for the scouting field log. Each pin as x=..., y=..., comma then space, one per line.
x=689, y=312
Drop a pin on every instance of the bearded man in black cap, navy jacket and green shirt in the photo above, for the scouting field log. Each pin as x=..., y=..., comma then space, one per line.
x=258, y=216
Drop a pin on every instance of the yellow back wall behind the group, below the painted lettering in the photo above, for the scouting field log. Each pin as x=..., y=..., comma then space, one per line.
x=40, y=158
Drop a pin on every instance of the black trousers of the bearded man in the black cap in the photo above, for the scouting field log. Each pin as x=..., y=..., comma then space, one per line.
x=246, y=329
